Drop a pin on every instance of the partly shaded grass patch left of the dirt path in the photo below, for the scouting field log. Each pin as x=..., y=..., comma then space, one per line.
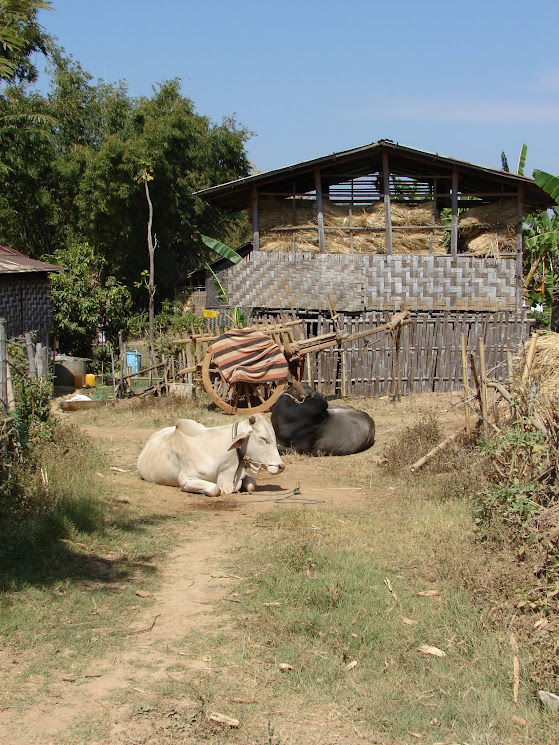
x=72, y=560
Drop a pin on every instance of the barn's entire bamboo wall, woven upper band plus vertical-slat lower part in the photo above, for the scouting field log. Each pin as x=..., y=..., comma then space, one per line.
x=447, y=296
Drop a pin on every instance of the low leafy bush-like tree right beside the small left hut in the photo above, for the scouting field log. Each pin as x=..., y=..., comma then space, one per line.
x=83, y=304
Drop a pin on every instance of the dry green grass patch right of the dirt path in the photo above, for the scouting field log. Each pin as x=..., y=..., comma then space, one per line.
x=323, y=593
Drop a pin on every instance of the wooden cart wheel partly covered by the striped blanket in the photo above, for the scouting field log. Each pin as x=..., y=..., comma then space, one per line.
x=239, y=398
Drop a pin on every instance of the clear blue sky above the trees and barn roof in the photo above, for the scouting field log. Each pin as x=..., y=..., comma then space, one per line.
x=309, y=78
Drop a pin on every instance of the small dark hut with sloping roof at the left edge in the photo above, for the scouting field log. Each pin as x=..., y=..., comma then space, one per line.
x=25, y=294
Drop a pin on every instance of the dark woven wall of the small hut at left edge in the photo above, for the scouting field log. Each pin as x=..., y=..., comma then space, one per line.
x=25, y=304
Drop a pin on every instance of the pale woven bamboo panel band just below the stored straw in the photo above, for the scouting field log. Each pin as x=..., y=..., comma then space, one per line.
x=362, y=282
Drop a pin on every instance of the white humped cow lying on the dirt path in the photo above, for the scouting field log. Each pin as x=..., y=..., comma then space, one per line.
x=210, y=460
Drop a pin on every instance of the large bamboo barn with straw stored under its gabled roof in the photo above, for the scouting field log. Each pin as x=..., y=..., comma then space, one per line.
x=376, y=229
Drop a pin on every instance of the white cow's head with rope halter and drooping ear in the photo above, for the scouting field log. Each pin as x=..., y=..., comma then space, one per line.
x=256, y=440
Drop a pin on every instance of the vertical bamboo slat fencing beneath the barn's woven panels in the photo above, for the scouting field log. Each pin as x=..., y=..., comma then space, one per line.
x=430, y=357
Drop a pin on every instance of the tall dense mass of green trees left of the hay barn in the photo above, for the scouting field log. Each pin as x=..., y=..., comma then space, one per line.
x=77, y=185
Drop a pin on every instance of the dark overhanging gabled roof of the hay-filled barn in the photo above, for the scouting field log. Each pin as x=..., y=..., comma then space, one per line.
x=361, y=161
